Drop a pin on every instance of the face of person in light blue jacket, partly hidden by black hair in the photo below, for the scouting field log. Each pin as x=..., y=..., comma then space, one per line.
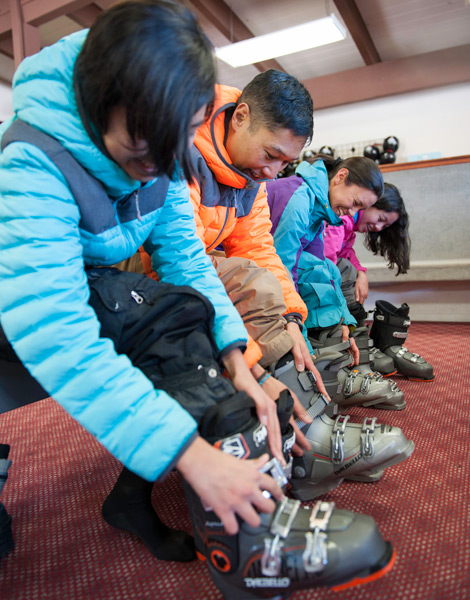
x=133, y=156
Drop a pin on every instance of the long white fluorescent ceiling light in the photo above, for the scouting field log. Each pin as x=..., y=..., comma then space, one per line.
x=286, y=41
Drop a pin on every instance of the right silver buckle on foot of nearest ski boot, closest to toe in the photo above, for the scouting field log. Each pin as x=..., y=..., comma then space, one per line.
x=315, y=556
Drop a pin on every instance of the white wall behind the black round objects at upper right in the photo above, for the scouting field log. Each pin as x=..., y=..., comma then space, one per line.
x=435, y=122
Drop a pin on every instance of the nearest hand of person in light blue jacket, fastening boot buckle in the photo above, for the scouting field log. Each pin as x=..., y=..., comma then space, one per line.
x=227, y=485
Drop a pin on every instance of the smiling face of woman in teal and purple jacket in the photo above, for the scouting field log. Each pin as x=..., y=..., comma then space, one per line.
x=348, y=199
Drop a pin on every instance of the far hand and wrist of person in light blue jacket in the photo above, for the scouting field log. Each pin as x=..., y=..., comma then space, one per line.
x=243, y=380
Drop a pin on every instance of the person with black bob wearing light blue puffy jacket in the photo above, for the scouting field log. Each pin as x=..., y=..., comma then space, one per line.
x=92, y=168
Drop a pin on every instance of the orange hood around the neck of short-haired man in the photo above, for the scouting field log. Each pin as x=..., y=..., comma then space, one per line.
x=209, y=141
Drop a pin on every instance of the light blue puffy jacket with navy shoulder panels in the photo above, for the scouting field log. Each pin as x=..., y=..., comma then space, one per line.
x=43, y=284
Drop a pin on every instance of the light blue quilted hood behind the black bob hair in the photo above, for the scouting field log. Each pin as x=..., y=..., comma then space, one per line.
x=43, y=96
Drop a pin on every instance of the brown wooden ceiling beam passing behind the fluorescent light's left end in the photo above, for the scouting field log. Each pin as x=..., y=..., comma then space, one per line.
x=230, y=25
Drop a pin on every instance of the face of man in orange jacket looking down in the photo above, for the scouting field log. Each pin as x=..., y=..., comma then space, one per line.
x=255, y=150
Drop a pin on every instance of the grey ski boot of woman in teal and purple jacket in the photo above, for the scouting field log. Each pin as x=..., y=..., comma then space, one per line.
x=359, y=385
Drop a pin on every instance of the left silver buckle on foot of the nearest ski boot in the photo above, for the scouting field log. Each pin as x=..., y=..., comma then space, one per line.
x=280, y=528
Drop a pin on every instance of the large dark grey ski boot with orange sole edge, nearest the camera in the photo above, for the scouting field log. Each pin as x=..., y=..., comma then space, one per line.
x=294, y=548
